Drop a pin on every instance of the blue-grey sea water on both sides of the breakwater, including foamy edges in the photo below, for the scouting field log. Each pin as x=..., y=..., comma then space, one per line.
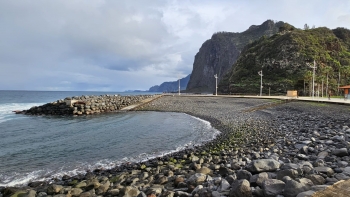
x=38, y=148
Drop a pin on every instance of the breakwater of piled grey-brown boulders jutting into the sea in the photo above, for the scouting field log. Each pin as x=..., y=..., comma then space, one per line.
x=85, y=105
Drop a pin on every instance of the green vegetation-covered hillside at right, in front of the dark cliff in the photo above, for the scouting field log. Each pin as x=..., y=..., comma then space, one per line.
x=284, y=58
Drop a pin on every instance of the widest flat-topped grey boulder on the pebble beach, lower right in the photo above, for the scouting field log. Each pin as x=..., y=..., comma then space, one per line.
x=263, y=165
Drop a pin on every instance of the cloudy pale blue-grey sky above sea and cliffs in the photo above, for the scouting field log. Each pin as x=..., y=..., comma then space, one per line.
x=115, y=45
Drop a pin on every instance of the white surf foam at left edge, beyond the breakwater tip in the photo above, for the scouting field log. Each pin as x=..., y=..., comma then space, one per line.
x=6, y=110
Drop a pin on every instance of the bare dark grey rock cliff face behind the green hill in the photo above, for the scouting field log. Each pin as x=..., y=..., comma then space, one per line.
x=218, y=54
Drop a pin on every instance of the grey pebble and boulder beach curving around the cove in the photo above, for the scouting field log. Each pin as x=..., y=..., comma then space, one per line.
x=279, y=148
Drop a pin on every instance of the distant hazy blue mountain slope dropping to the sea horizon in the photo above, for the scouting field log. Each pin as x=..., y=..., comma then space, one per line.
x=172, y=86
